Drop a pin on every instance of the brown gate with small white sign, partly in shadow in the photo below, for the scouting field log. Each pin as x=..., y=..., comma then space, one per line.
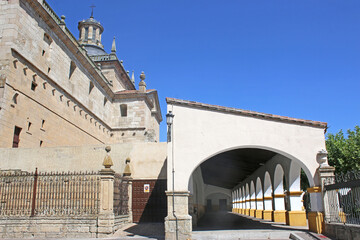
x=149, y=200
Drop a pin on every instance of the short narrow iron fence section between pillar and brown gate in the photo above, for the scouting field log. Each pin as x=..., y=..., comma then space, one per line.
x=121, y=195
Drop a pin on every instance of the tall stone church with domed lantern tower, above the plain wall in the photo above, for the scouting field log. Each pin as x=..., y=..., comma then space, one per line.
x=56, y=90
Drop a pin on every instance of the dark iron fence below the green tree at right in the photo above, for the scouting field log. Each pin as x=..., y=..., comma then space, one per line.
x=343, y=197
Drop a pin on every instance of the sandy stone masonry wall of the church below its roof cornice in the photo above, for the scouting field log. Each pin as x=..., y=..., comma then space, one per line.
x=67, y=106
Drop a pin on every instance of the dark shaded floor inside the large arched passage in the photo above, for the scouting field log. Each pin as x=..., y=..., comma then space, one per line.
x=231, y=221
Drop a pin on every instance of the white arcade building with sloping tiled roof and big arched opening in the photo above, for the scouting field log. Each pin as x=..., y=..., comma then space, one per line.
x=246, y=162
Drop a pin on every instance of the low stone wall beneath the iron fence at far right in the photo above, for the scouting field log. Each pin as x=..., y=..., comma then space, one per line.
x=342, y=232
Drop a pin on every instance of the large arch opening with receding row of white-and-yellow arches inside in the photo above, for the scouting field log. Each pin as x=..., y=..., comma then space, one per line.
x=259, y=172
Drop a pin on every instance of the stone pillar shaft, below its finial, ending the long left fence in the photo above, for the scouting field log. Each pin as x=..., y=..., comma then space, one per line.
x=106, y=216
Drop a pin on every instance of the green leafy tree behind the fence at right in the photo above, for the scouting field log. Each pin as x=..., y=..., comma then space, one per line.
x=344, y=151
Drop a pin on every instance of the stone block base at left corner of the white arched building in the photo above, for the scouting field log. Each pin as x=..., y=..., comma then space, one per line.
x=178, y=224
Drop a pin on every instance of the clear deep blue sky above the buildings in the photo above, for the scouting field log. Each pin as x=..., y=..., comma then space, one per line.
x=296, y=58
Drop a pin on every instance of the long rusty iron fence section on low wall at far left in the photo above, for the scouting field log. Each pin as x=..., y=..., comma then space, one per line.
x=49, y=194
